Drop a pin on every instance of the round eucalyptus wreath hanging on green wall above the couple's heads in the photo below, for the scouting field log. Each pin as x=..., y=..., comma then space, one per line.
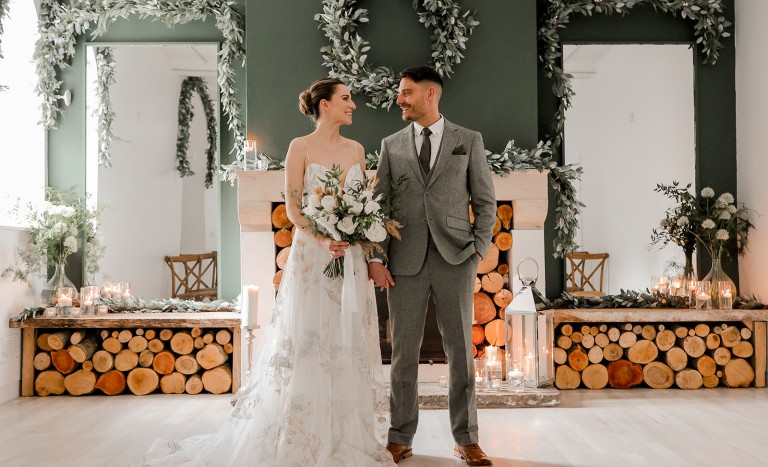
x=346, y=55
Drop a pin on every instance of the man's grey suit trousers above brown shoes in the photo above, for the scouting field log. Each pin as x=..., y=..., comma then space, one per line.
x=451, y=287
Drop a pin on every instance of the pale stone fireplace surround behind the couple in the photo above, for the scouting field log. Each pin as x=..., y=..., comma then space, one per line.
x=258, y=190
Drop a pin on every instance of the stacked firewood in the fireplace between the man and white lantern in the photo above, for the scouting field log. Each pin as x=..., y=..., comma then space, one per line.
x=492, y=294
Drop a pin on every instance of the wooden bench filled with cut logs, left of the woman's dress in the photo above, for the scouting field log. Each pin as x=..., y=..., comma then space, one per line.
x=135, y=353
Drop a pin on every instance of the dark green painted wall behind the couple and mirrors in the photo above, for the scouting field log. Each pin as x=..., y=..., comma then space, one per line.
x=498, y=89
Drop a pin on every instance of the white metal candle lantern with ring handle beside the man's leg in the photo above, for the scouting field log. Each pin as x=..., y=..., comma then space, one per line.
x=529, y=336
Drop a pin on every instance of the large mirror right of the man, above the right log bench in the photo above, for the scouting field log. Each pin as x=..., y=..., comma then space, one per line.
x=631, y=126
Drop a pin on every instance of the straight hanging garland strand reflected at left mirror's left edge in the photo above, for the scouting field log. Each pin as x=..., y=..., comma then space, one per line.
x=105, y=77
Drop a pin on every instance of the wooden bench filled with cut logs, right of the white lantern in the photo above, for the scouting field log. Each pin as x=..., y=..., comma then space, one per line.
x=659, y=348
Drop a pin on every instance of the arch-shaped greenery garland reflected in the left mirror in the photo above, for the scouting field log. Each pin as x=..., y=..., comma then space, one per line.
x=190, y=84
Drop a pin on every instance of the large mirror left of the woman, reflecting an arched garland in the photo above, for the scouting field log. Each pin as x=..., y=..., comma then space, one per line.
x=151, y=211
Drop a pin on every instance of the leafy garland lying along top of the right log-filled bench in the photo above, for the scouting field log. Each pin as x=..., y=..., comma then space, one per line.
x=643, y=299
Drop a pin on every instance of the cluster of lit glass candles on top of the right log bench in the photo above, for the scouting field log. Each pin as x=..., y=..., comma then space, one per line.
x=699, y=293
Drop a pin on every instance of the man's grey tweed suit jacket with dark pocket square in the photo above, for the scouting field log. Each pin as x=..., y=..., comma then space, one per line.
x=439, y=204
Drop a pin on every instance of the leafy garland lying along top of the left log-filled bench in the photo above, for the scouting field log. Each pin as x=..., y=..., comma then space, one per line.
x=138, y=305
